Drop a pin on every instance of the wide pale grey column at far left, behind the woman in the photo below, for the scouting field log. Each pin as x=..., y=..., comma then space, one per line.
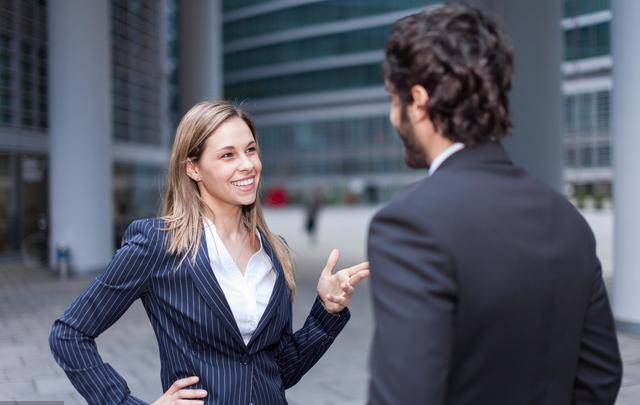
x=80, y=130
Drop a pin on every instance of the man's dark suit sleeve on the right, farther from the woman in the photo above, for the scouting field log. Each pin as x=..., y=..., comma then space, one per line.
x=599, y=371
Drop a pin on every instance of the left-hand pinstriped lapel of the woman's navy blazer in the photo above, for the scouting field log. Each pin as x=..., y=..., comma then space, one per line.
x=208, y=286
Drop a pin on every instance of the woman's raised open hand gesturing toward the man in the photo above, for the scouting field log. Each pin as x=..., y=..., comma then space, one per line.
x=336, y=290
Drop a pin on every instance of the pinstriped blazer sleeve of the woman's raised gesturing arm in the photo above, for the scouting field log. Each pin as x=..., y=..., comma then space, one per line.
x=299, y=351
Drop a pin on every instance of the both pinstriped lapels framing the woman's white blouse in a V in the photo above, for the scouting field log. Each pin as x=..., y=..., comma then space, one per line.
x=209, y=288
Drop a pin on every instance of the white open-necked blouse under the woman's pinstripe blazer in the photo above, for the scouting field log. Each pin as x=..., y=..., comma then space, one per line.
x=248, y=294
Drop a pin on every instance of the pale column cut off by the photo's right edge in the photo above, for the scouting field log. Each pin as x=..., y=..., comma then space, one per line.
x=625, y=34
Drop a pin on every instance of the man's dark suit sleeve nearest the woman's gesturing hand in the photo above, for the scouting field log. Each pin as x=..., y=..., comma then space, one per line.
x=414, y=298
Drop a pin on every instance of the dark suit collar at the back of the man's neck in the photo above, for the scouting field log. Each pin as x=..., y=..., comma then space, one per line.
x=490, y=153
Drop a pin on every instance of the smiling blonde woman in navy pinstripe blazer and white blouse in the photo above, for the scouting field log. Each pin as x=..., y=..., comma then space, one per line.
x=216, y=284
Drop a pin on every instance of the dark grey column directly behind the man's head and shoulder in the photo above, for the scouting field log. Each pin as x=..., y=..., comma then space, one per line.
x=536, y=99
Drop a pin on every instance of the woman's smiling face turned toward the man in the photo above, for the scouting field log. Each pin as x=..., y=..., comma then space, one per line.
x=228, y=171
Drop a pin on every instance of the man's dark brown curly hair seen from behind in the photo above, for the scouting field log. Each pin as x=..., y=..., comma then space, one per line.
x=464, y=61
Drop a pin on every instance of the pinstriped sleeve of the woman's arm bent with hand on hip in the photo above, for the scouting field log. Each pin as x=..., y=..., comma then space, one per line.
x=72, y=338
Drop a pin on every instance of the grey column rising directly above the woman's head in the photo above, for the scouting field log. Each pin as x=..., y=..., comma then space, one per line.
x=200, y=52
